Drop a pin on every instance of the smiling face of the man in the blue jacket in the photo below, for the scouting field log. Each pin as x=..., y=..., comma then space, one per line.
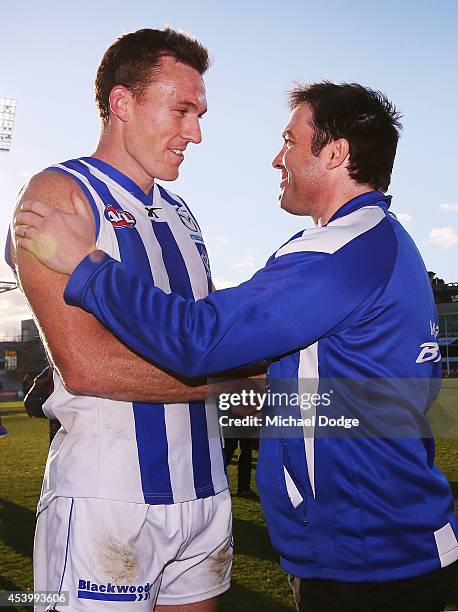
x=302, y=173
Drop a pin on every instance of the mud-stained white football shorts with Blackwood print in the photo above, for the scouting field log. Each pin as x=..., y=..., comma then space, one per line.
x=112, y=555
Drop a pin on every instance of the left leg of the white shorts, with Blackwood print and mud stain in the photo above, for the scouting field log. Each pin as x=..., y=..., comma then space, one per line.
x=100, y=552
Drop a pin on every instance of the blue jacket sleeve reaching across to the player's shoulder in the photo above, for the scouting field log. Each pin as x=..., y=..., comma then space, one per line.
x=291, y=303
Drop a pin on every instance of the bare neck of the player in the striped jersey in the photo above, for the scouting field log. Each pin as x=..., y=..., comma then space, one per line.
x=115, y=154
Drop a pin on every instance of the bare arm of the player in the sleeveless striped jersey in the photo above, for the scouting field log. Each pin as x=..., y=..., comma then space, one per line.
x=90, y=360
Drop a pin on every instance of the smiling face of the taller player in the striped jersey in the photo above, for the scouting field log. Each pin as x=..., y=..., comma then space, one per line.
x=166, y=120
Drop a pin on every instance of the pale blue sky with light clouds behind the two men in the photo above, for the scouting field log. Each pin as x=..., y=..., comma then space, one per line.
x=51, y=50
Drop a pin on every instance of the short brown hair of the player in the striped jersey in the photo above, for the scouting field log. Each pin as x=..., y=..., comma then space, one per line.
x=133, y=59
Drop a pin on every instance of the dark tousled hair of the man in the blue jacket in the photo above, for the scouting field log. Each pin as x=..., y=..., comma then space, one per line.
x=364, y=117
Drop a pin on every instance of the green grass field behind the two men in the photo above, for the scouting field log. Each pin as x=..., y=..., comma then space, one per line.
x=259, y=585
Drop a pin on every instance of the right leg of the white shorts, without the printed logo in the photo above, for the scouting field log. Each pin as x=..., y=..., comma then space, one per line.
x=202, y=569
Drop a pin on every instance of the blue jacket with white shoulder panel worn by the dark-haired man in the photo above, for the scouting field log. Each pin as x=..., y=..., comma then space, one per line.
x=347, y=301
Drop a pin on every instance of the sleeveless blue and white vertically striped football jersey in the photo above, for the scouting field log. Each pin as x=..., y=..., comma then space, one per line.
x=137, y=452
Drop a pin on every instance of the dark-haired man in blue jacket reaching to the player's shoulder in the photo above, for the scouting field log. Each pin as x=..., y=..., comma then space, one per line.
x=364, y=521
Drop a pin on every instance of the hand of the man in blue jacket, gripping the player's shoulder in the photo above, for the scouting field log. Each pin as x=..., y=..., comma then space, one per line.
x=60, y=240
